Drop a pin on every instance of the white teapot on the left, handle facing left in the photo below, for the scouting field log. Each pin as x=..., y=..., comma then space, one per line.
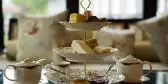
x=27, y=71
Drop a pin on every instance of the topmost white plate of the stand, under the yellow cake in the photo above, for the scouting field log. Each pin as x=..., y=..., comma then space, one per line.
x=85, y=25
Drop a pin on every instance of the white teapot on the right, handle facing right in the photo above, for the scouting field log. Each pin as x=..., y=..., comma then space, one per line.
x=132, y=68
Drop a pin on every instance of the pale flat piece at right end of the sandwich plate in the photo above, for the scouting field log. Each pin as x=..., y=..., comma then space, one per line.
x=102, y=49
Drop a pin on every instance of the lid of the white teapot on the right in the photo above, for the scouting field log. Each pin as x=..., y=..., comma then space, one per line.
x=130, y=59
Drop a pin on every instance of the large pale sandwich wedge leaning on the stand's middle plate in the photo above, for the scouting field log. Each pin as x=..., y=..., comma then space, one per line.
x=81, y=47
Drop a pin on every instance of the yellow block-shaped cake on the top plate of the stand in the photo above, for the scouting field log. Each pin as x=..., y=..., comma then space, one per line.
x=76, y=18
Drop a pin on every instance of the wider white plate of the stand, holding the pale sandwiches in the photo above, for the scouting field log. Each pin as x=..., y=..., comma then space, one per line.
x=74, y=57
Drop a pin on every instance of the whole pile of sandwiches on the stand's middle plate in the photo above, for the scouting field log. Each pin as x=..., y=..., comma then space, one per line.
x=86, y=47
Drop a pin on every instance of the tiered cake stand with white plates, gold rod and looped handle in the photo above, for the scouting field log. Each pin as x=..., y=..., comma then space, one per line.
x=84, y=26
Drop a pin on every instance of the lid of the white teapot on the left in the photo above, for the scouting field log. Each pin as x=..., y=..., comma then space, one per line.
x=27, y=63
